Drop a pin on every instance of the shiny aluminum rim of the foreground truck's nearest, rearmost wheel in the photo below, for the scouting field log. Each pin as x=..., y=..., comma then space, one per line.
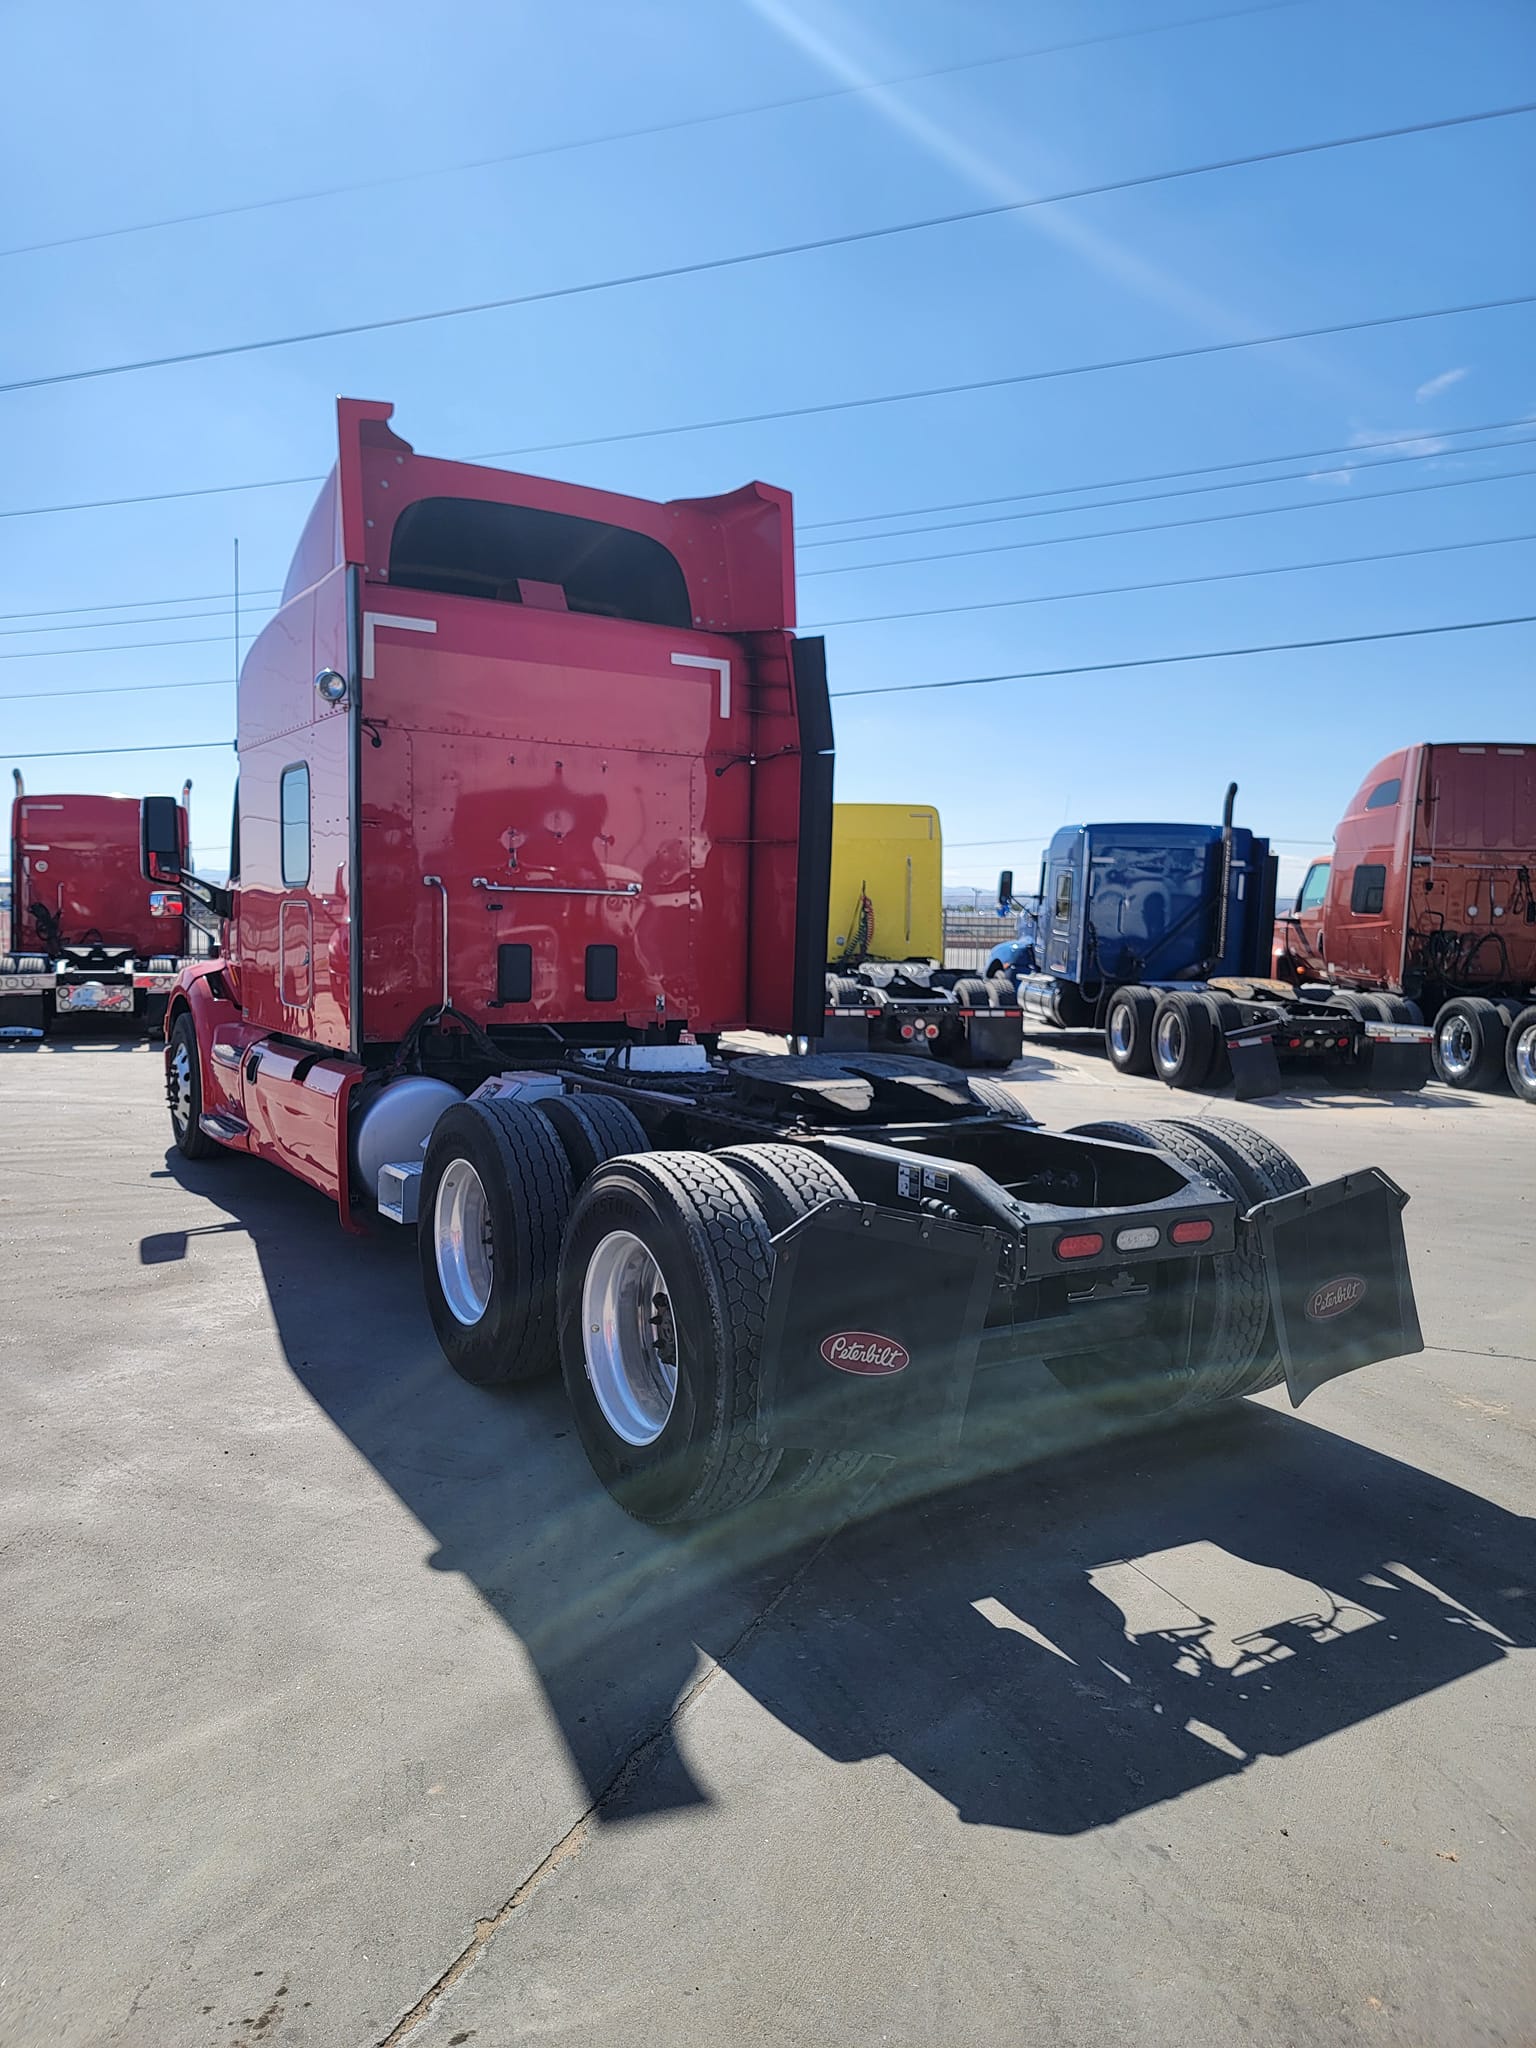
x=630, y=1338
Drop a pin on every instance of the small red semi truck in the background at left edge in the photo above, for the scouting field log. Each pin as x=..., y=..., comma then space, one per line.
x=87, y=935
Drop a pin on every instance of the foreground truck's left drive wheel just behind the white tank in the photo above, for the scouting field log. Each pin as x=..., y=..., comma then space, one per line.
x=497, y=1193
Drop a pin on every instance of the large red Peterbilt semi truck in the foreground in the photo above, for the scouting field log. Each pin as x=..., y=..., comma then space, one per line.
x=536, y=802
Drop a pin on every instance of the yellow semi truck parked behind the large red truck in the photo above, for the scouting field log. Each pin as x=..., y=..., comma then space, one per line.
x=888, y=984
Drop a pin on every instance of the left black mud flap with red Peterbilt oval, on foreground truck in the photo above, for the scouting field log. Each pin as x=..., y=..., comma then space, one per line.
x=873, y=1330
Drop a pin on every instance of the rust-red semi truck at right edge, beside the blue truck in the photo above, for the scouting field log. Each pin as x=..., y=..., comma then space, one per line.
x=1431, y=904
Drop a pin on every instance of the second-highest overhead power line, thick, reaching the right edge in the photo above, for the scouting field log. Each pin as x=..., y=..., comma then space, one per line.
x=667, y=273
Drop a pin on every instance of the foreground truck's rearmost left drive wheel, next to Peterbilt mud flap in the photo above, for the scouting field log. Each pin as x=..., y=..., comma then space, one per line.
x=663, y=1299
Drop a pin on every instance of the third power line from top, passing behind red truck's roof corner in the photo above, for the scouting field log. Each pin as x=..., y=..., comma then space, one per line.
x=847, y=404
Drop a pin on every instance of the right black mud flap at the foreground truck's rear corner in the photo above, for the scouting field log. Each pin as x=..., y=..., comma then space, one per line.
x=1338, y=1279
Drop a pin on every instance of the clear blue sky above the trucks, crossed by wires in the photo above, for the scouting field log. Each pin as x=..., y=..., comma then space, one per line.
x=124, y=116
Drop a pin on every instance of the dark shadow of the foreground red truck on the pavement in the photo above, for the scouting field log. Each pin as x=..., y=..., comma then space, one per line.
x=1048, y=1646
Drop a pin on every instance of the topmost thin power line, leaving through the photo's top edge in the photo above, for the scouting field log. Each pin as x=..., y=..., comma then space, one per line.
x=642, y=134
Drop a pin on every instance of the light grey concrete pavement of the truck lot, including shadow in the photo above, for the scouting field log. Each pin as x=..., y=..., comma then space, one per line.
x=345, y=1707
